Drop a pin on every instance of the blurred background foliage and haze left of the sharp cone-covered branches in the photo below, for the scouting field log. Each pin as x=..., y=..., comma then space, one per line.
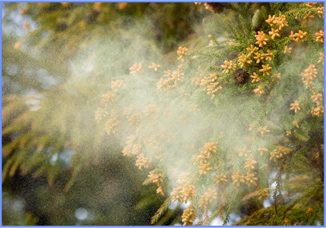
x=59, y=167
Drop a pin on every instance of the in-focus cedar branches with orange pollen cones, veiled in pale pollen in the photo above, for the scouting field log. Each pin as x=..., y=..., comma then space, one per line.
x=235, y=123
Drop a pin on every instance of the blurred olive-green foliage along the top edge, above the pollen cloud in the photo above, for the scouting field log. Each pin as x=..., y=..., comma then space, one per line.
x=57, y=21
